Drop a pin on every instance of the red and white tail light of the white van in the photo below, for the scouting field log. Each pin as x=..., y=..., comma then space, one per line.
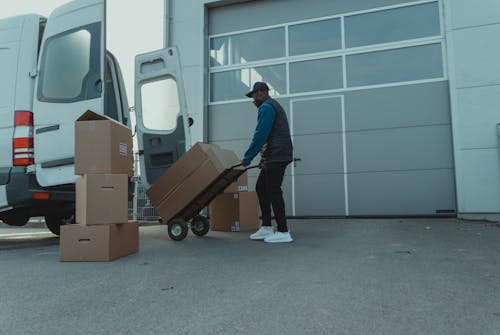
x=23, y=149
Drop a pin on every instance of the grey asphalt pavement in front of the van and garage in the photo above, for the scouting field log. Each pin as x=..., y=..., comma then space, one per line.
x=337, y=277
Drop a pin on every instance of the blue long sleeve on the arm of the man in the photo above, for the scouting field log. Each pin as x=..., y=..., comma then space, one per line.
x=265, y=120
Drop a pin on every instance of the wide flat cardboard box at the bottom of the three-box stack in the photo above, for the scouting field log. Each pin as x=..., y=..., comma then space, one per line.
x=81, y=243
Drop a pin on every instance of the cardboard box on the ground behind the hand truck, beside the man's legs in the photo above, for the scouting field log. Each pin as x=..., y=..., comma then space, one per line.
x=235, y=212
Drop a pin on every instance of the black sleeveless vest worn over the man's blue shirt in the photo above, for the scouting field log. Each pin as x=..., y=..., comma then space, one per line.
x=278, y=147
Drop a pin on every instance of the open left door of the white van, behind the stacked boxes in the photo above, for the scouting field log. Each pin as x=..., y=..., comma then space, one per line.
x=70, y=80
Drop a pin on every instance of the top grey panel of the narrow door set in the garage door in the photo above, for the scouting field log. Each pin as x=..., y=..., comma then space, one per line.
x=322, y=115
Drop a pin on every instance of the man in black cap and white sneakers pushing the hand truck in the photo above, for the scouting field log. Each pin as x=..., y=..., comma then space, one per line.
x=272, y=139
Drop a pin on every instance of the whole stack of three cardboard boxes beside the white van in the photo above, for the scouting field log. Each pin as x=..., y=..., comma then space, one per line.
x=103, y=158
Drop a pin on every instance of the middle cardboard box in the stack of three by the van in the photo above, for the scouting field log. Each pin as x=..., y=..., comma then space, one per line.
x=101, y=199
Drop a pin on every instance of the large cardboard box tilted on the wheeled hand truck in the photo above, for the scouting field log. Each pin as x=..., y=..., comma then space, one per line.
x=189, y=177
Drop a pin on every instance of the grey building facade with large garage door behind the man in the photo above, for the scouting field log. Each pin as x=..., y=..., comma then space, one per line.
x=393, y=104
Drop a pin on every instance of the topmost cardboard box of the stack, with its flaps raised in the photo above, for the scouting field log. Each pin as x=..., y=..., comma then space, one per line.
x=102, y=145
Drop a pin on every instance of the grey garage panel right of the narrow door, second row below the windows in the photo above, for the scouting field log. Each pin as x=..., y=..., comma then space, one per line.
x=399, y=149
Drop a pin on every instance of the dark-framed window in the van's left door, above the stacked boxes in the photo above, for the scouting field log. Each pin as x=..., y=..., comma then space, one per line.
x=71, y=66
